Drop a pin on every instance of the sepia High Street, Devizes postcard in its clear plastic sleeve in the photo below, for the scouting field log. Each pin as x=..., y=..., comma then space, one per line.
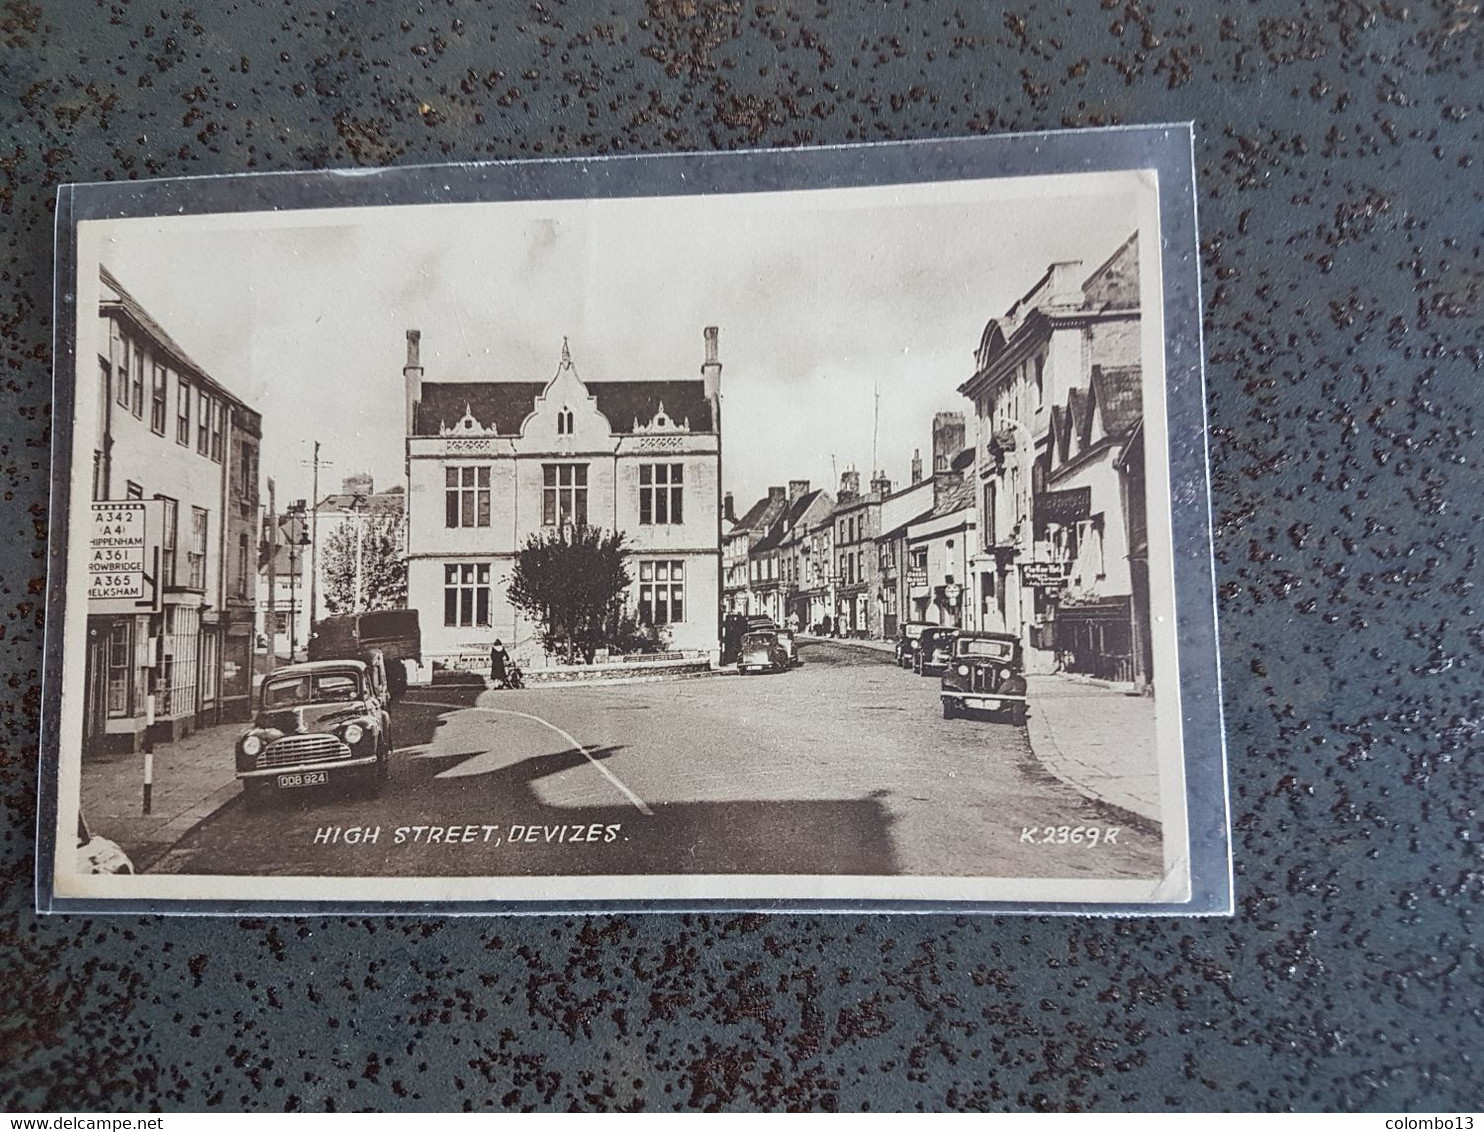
x=812, y=530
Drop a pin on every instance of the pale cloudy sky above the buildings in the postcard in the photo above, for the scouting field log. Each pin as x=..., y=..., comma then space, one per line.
x=847, y=317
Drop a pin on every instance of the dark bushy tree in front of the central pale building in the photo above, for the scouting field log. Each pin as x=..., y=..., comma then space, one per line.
x=574, y=582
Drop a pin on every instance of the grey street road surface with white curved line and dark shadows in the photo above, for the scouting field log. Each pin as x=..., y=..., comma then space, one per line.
x=839, y=768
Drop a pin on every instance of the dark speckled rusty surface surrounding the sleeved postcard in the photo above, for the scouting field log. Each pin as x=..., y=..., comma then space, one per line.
x=1339, y=192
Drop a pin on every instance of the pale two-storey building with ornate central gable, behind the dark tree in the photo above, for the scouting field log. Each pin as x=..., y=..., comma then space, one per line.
x=493, y=462
